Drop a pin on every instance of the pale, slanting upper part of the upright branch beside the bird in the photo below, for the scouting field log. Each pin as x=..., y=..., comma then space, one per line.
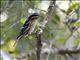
x=48, y=16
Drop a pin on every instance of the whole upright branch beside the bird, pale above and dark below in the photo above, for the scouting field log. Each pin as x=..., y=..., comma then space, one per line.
x=39, y=33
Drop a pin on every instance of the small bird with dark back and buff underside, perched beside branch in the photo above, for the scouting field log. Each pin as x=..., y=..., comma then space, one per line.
x=25, y=29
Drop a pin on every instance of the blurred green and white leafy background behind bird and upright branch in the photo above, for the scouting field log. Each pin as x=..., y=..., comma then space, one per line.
x=61, y=32
